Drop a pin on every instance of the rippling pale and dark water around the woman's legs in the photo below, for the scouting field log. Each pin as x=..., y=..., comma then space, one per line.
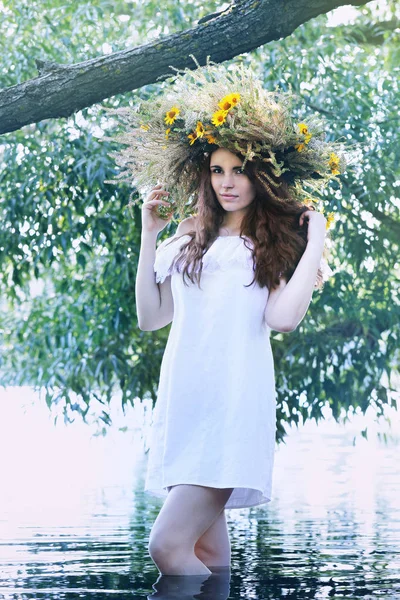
x=75, y=522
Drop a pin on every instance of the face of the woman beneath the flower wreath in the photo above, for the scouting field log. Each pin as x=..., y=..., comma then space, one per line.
x=233, y=188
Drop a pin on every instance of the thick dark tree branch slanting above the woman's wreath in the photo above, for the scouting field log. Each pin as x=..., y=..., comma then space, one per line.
x=61, y=90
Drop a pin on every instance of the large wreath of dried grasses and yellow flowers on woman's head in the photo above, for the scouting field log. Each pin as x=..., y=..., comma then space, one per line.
x=166, y=138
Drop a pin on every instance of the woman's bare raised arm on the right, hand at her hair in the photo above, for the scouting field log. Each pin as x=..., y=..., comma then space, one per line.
x=288, y=304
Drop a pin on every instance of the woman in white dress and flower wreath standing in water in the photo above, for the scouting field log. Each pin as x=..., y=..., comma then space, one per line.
x=246, y=262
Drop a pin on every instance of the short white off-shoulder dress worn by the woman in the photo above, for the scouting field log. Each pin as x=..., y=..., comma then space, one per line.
x=214, y=422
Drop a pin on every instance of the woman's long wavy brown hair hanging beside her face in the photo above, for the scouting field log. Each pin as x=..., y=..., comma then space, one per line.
x=272, y=225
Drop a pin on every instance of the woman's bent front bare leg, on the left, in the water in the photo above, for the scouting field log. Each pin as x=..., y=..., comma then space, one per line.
x=187, y=513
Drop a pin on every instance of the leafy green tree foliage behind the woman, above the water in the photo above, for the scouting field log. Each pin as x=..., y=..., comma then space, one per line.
x=63, y=227
